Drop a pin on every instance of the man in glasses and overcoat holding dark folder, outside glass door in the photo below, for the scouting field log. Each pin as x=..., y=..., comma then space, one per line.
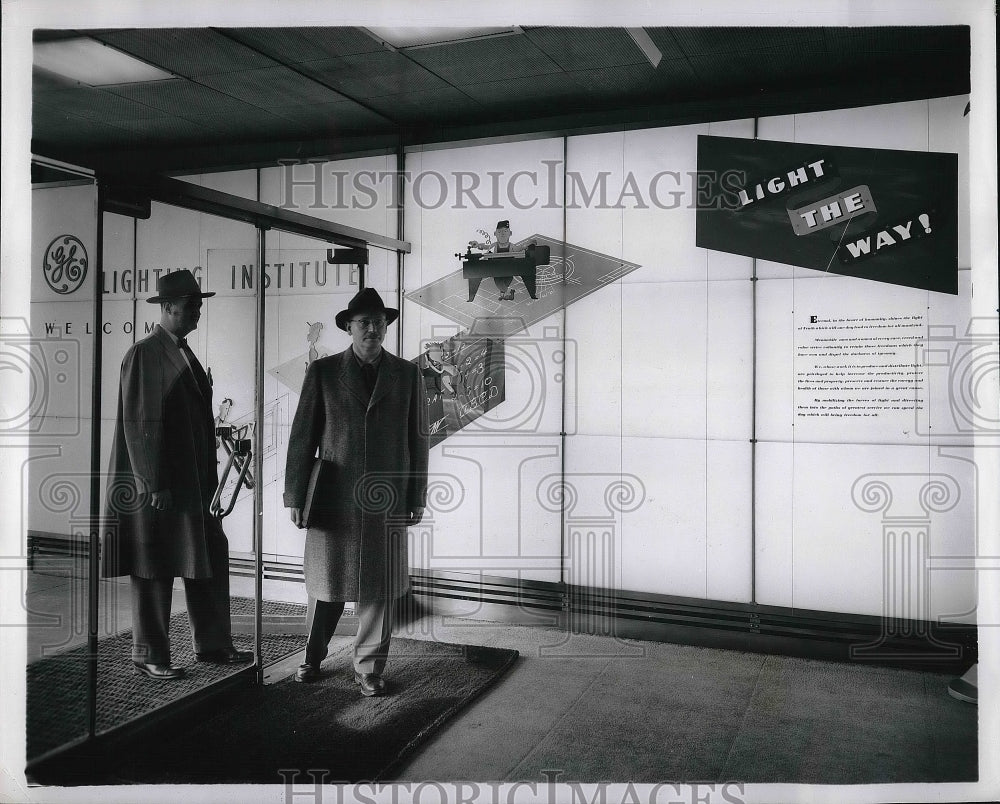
x=362, y=414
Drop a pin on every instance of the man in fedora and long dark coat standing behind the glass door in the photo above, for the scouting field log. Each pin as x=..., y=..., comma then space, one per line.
x=162, y=478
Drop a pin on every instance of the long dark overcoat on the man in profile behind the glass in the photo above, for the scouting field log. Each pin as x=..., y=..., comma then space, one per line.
x=164, y=439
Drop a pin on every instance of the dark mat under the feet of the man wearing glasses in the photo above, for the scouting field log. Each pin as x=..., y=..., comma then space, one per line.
x=325, y=731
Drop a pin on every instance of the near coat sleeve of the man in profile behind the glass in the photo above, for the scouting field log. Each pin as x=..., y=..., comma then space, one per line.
x=142, y=394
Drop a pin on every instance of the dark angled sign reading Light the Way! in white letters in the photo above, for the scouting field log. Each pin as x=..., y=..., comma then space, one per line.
x=888, y=216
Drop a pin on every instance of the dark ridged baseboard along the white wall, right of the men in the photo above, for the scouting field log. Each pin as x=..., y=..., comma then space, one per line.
x=916, y=644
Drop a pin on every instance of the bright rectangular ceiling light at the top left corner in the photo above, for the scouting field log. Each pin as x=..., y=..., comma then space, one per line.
x=90, y=62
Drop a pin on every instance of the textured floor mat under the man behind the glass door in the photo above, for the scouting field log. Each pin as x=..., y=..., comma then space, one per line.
x=57, y=686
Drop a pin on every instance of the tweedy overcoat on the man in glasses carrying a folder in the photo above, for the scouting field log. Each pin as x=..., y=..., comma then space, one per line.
x=376, y=453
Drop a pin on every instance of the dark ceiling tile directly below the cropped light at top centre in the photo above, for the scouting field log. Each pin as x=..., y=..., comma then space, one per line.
x=484, y=60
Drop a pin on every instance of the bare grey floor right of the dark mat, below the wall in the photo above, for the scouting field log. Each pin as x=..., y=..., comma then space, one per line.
x=598, y=708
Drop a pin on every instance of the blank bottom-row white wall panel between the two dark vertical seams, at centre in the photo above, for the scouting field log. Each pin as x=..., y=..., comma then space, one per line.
x=677, y=514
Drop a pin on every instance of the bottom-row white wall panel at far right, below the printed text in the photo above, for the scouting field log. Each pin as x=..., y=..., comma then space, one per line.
x=837, y=519
